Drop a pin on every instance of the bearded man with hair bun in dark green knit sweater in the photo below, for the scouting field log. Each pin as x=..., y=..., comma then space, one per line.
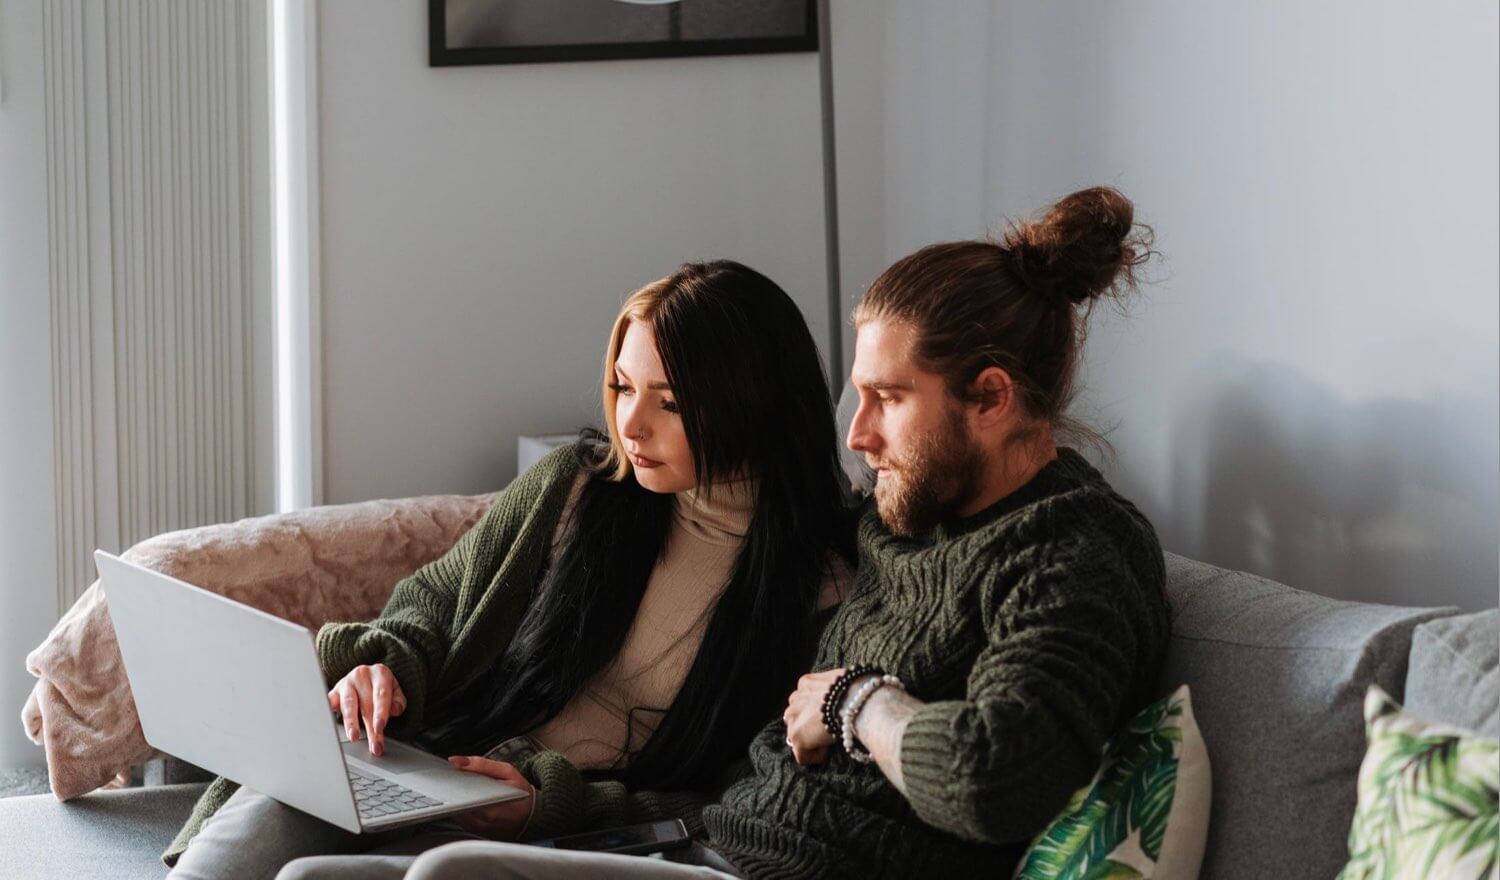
x=1013, y=594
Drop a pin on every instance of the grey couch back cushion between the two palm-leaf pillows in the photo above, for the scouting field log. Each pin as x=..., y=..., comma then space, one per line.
x=1279, y=681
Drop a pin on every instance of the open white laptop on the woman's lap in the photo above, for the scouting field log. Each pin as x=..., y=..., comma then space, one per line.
x=238, y=692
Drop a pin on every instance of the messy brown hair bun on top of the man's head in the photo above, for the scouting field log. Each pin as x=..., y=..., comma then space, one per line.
x=1081, y=250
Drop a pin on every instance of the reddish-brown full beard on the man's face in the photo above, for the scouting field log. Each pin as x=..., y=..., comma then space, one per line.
x=928, y=485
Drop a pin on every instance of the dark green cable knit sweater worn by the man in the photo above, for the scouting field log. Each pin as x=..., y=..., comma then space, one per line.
x=1031, y=632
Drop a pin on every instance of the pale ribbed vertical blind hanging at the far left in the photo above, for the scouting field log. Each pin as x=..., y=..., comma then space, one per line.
x=160, y=265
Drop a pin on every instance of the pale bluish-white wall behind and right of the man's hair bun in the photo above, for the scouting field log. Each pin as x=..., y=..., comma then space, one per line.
x=1310, y=388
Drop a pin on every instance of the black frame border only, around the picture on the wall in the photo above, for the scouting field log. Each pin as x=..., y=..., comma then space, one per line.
x=443, y=56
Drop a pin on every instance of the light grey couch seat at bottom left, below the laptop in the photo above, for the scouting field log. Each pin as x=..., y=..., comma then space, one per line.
x=116, y=834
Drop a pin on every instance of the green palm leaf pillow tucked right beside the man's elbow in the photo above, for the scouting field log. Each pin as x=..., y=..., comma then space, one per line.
x=1147, y=812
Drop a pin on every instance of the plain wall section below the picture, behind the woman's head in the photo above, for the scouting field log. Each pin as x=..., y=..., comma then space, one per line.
x=482, y=226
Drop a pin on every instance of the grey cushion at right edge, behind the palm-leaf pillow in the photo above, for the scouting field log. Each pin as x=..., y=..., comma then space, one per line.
x=1456, y=672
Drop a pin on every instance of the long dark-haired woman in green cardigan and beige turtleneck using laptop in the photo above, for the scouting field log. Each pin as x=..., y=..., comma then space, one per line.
x=623, y=618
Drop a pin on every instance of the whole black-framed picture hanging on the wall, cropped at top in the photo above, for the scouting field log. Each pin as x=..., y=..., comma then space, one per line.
x=521, y=32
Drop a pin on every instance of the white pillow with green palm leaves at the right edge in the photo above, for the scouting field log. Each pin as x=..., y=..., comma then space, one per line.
x=1427, y=800
